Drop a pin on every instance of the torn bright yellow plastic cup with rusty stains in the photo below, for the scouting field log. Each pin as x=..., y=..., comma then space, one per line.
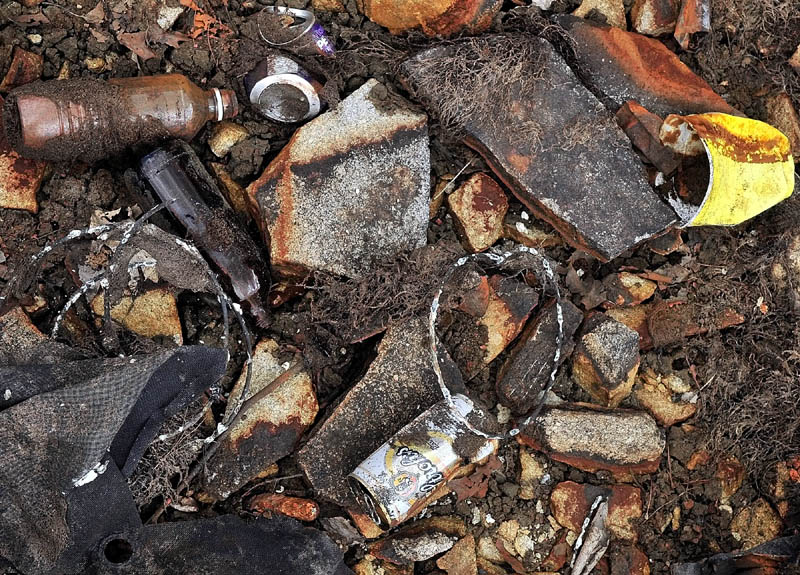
x=750, y=166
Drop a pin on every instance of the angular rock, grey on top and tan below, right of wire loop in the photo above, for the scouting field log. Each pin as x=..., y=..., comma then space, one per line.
x=606, y=360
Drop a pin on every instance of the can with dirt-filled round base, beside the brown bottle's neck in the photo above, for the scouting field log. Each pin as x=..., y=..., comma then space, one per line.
x=282, y=90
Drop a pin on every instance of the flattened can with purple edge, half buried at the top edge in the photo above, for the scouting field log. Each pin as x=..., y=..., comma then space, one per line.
x=295, y=29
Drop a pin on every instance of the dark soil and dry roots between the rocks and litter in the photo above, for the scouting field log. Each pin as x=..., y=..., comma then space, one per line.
x=747, y=376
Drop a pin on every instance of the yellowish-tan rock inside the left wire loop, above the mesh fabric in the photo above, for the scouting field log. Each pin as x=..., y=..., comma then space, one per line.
x=153, y=313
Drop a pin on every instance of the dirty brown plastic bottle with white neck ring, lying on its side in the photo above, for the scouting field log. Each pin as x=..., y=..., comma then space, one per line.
x=88, y=119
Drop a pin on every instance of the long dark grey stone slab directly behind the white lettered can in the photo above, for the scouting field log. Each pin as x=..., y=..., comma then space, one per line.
x=399, y=385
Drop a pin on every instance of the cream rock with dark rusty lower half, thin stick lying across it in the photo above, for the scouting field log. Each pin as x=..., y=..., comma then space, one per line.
x=269, y=430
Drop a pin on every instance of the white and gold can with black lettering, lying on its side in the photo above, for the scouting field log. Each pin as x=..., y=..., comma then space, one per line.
x=401, y=476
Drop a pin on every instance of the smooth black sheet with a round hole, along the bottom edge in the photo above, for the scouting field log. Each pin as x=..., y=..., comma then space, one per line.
x=225, y=545
